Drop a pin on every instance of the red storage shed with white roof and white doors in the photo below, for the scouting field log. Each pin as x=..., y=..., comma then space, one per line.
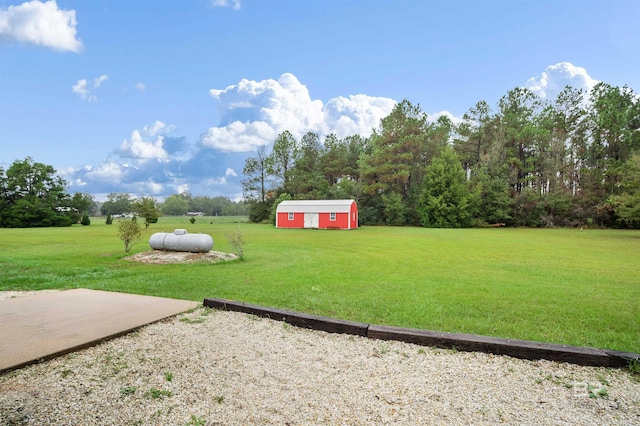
x=319, y=214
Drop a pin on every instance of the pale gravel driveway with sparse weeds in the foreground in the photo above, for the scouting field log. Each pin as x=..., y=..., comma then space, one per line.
x=212, y=367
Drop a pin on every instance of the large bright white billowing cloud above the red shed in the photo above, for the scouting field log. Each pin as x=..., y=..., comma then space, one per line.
x=253, y=113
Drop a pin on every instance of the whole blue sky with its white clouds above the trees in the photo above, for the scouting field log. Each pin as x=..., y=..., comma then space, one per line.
x=157, y=97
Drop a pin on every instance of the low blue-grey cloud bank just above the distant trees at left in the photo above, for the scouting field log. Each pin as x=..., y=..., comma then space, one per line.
x=152, y=162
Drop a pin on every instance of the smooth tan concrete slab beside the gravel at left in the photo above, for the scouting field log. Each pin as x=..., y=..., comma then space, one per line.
x=43, y=326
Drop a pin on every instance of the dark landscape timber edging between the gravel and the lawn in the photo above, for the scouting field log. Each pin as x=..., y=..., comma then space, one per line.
x=525, y=349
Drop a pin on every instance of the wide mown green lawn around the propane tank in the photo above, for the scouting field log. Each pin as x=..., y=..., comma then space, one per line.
x=554, y=285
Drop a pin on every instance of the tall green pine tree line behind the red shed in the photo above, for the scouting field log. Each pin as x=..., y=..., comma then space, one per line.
x=573, y=161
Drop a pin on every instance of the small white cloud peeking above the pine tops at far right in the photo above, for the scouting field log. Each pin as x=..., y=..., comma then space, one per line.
x=556, y=77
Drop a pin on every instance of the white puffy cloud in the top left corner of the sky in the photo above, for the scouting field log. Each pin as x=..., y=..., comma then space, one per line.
x=43, y=24
